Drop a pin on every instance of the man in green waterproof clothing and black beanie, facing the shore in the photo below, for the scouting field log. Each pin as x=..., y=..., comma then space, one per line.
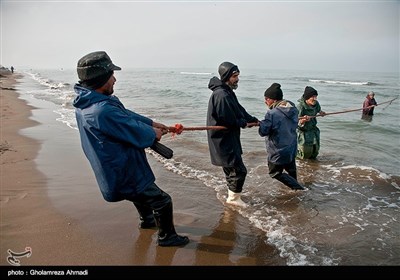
x=308, y=134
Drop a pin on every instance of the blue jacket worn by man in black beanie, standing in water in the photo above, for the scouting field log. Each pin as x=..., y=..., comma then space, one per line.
x=279, y=128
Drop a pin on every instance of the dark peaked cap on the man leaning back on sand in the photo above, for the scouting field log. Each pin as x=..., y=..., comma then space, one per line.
x=94, y=65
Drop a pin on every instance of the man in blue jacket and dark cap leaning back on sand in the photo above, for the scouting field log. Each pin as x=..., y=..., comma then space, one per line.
x=114, y=139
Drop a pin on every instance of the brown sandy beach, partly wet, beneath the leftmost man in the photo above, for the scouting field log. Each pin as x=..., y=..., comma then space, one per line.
x=64, y=221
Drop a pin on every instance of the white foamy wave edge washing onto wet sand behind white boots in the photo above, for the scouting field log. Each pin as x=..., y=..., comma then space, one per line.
x=269, y=219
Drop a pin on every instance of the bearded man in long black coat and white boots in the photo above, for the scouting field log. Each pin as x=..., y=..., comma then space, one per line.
x=224, y=145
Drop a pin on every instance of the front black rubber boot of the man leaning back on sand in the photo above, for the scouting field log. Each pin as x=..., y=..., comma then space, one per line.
x=167, y=235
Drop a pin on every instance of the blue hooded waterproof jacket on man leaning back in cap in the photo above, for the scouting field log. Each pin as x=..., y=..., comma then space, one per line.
x=113, y=139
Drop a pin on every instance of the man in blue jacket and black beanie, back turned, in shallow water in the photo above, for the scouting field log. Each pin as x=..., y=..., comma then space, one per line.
x=279, y=129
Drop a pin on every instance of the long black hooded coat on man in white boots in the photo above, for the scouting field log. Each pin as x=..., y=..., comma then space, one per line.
x=224, y=110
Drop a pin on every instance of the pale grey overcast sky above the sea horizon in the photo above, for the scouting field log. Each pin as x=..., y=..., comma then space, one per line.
x=294, y=35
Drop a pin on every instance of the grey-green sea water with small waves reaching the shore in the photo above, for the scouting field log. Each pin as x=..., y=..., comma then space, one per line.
x=350, y=213
